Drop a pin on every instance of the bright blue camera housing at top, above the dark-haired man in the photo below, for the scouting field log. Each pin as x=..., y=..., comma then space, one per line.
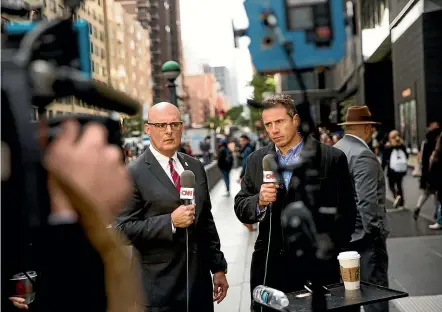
x=305, y=54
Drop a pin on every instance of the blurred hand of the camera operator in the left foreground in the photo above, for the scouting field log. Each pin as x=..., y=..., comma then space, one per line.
x=86, y=166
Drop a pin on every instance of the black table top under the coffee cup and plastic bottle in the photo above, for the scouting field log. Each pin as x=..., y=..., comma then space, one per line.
x=341, y=300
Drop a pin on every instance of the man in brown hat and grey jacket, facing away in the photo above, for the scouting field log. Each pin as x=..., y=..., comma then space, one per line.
x=371, y=229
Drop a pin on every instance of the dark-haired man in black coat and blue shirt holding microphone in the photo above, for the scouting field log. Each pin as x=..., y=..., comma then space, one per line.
x=273, y=263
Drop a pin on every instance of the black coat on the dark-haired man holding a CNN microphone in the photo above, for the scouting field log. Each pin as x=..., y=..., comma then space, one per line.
x=285, y=271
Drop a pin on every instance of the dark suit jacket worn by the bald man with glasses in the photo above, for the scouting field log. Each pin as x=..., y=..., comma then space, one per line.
x=146, y=221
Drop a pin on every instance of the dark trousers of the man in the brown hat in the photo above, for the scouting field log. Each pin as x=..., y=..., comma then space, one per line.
x=374, y=267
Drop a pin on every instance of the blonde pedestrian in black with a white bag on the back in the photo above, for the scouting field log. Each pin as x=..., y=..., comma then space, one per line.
x=395, y=159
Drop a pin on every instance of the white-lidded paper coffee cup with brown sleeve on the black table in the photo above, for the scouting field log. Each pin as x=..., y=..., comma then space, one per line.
x=349, y=262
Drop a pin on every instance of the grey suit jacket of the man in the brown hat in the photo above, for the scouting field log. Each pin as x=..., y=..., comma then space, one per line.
x=368, y=178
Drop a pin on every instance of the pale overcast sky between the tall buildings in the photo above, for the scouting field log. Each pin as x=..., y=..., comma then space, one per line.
x=206, y=29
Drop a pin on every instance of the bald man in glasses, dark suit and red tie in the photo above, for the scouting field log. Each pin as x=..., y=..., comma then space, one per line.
x=155, y=221
